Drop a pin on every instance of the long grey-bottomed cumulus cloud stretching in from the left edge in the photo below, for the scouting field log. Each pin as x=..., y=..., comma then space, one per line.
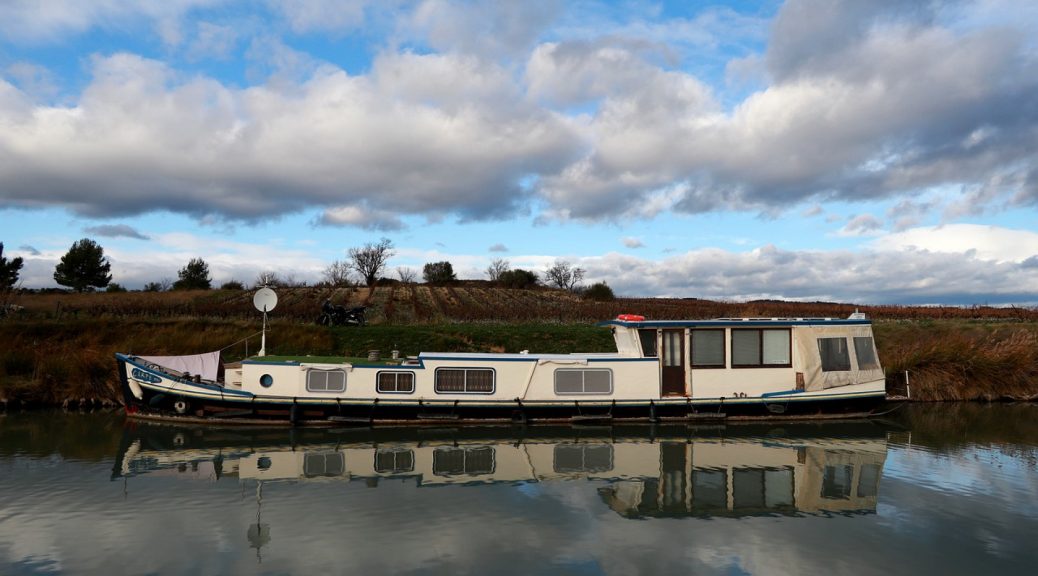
x=145, y=139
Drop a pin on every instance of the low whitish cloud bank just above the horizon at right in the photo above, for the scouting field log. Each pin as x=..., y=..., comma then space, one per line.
x=909, y=277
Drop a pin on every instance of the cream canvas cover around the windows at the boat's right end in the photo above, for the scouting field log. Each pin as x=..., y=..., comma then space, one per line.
x=811, y=365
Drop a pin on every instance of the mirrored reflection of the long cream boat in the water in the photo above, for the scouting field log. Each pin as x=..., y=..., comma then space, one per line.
x=641, y=472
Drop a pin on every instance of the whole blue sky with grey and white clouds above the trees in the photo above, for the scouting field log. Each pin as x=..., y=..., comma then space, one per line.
x=878, y=152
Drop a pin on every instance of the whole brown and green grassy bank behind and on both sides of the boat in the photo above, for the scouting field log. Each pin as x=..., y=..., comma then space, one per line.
x=48, y=361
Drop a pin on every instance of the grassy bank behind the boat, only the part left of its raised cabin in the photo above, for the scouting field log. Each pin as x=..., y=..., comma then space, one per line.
x=50, y=362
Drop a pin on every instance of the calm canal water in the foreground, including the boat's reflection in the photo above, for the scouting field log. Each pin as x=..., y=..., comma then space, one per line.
x=949, y=489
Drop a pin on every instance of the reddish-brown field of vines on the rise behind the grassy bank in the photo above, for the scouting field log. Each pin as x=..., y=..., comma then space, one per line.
x=467, y=303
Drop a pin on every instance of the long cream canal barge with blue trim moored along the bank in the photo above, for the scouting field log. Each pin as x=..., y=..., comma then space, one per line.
x=696, y=370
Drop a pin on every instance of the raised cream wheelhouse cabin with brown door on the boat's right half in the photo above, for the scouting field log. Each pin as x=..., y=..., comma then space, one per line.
x=749, y=356
